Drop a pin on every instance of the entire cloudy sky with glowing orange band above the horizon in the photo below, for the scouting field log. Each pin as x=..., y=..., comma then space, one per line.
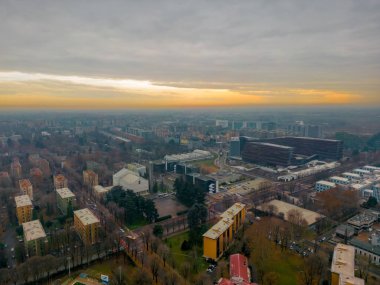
x=126, y=54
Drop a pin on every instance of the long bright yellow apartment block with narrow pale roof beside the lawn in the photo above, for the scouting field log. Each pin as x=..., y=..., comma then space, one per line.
x=219, y=237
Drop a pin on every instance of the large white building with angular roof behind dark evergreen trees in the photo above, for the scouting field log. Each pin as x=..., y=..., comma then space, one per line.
x=129, y=180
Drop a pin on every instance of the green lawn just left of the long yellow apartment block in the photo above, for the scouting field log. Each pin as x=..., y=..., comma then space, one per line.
x=175, y=242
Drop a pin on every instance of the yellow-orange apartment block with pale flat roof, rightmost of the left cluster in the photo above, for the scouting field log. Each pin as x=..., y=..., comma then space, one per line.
x=87, y=226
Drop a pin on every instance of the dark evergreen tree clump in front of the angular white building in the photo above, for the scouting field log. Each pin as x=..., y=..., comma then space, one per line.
x=135, y=208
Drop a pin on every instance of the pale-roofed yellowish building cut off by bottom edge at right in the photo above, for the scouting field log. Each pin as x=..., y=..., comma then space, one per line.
x=343, y=266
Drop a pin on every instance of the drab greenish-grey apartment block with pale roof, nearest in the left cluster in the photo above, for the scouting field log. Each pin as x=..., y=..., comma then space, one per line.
x=34, y=238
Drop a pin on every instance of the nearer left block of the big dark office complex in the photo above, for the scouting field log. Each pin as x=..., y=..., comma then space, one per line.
x=267, y=153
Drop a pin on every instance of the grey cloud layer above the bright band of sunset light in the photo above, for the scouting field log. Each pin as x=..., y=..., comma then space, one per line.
x=286, y=42
